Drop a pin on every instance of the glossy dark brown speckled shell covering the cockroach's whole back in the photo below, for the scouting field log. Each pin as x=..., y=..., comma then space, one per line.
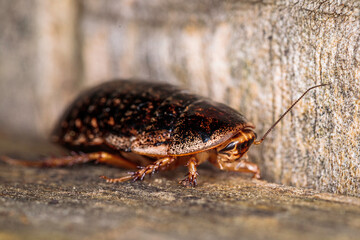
x=153, y=119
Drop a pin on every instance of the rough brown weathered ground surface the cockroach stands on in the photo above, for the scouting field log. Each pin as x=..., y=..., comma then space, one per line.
x=73, y=203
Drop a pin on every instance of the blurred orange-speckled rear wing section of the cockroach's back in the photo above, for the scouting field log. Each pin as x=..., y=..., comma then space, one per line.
x=113, y=112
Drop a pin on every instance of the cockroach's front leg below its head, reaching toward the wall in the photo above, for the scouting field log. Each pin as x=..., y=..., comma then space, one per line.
x=239, y=166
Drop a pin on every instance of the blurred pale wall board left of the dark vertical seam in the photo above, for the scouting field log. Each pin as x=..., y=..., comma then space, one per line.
x=39, y=63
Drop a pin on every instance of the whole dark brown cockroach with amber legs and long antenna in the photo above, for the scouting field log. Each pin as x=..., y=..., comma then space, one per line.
x=153, y=127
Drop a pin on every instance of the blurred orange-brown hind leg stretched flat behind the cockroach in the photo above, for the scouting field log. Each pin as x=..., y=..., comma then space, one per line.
x=99, y=157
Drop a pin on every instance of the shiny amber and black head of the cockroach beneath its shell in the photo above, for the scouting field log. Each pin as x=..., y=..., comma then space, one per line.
x=236, y=147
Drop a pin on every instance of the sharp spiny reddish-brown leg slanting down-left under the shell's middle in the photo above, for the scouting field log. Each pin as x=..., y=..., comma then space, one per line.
x=160, y=164
